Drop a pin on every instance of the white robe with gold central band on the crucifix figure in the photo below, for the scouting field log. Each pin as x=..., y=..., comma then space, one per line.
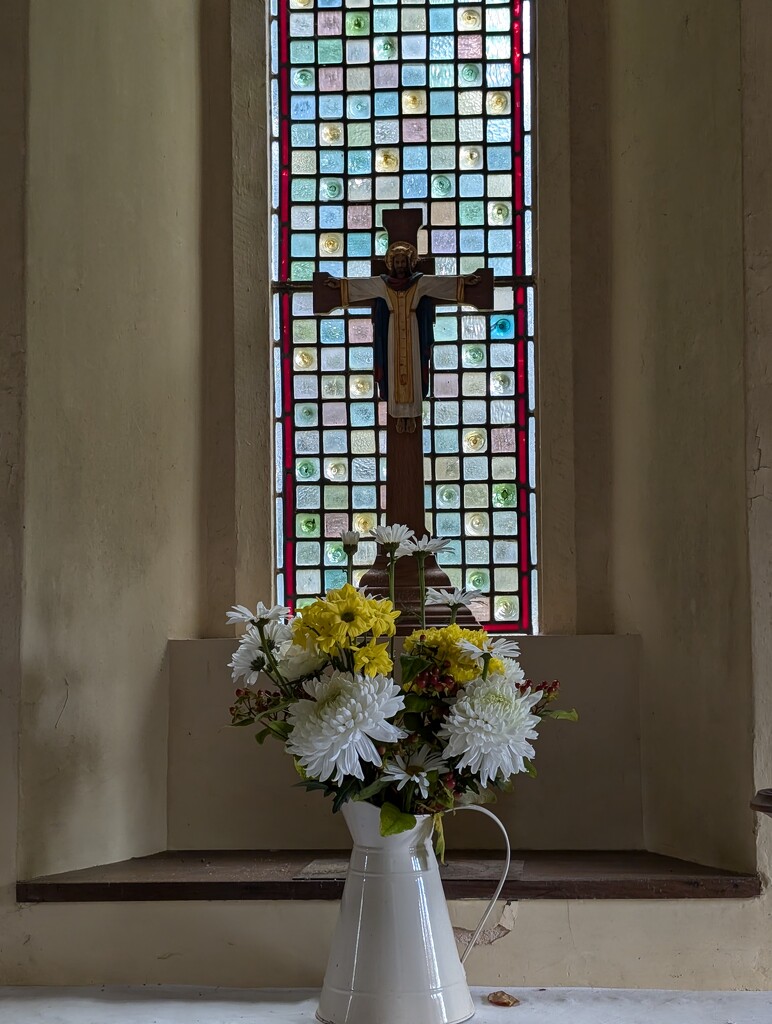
x=404, y=355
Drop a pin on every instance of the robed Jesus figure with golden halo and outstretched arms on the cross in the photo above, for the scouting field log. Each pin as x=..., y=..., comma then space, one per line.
x=404, y=327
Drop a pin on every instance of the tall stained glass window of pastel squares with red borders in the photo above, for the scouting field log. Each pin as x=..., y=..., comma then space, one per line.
x=375, y=106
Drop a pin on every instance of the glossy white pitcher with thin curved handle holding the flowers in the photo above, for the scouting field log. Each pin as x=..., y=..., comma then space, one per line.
x=394, y=958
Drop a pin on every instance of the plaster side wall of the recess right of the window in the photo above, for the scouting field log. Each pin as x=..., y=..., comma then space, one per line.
x=680, y=542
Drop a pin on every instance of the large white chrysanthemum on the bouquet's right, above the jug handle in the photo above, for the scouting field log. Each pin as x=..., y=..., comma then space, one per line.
x=490, y=728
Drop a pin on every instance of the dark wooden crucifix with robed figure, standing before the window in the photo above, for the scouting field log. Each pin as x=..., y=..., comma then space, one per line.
x=404, y=292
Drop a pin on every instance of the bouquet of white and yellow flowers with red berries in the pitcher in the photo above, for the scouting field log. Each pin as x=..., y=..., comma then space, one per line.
x=449, y=726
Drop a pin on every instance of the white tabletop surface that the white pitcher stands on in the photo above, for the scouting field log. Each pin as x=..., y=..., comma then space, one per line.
x=169, y=1005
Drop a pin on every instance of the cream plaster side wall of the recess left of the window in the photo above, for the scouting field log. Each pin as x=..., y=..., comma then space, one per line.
x=112, y=473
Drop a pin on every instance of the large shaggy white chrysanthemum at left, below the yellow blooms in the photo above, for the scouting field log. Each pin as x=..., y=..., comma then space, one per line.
x=334, y=733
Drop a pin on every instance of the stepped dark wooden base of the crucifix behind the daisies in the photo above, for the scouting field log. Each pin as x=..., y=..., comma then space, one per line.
x=408, y=594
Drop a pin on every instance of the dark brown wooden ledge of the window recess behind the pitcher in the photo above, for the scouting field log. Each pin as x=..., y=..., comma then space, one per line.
x=308, y=875
